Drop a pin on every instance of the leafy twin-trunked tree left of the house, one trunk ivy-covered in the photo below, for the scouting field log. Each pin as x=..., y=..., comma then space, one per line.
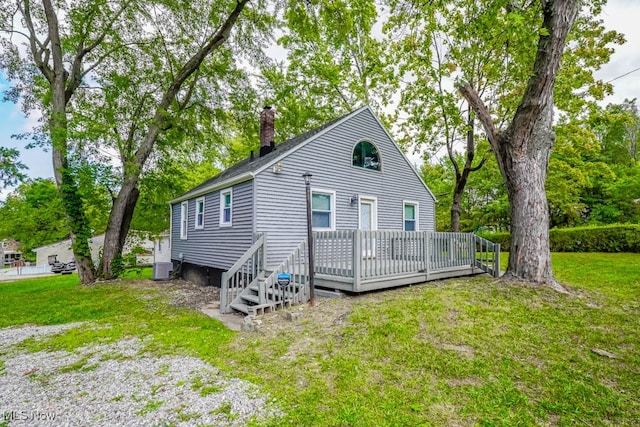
x=99, y=45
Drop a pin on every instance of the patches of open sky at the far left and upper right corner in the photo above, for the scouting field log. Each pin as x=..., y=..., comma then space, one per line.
x=620, y=15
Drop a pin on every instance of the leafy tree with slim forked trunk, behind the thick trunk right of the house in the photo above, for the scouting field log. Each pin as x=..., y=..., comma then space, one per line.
x=487, y=44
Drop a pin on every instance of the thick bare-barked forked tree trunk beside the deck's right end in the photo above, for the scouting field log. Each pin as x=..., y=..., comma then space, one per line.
x=524, y=145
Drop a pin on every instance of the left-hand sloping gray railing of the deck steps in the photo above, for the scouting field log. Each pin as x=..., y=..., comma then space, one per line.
x=242, y=274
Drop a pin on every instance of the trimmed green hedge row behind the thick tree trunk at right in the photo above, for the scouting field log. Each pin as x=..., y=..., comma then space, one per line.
x=608, y=238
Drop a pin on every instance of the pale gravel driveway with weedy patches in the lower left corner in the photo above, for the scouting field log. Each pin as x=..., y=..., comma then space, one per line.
x=113, y=385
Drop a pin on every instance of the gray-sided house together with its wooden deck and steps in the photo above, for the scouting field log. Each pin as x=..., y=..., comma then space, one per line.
x=373, y=221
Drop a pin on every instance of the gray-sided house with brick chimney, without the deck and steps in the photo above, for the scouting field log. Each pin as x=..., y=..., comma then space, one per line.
x=361, y=180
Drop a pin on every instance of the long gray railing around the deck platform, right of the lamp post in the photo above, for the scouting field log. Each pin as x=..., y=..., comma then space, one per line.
x=363, y=255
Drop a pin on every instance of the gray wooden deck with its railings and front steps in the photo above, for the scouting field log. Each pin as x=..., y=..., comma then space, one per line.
x=355, y=261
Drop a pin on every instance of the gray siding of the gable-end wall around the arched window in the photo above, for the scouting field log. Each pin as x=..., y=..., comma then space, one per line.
x=280, y=198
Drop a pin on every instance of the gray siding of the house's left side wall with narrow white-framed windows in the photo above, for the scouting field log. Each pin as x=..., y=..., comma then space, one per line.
x=215, y=246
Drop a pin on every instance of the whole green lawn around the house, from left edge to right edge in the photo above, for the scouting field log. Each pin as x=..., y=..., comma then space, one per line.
x=457, y=352
